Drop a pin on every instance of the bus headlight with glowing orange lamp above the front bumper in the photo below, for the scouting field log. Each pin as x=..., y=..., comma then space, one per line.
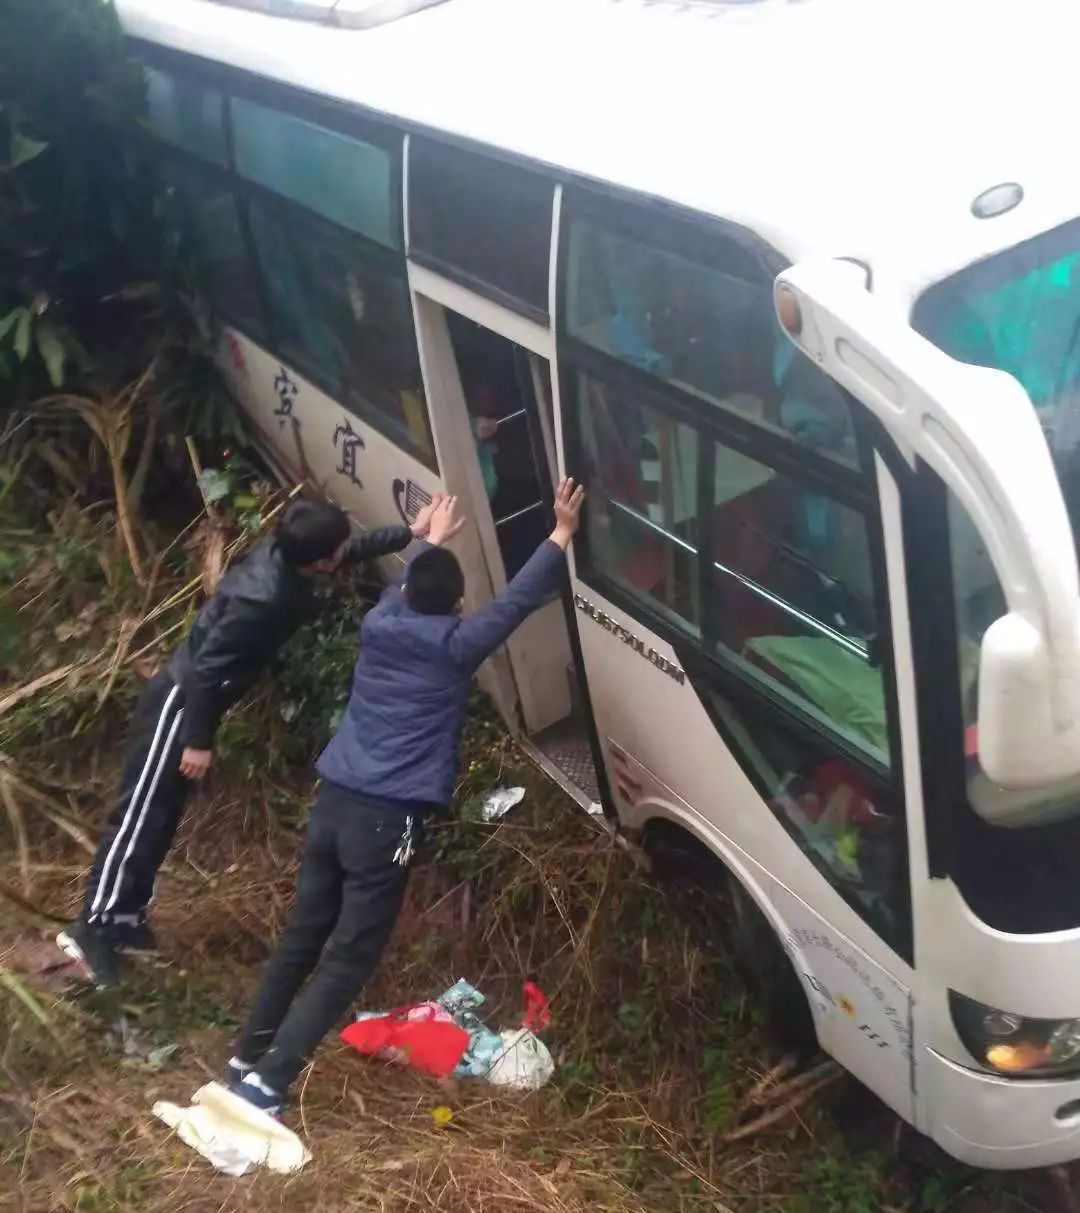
x=1016, y=1045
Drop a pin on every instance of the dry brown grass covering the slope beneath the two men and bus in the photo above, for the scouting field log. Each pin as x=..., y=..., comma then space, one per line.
x=666, y=1101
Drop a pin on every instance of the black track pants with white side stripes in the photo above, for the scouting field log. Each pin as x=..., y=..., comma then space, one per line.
x=141, y=827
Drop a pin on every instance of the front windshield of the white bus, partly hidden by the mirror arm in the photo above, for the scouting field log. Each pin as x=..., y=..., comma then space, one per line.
x=1019, y=312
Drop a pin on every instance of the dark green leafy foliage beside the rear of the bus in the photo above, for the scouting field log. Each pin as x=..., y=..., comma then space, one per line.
x=98, y=277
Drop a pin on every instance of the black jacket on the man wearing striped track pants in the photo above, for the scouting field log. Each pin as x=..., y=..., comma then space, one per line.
x=257, y=610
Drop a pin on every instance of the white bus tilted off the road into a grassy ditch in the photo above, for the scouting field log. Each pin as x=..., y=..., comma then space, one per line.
x=822, y=623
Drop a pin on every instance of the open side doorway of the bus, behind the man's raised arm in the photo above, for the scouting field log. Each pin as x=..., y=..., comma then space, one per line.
x=508, y=395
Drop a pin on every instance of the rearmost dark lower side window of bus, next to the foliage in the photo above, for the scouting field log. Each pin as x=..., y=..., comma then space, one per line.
x=206, y=210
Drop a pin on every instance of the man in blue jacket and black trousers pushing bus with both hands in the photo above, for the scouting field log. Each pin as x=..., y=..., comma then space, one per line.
x=393, y=762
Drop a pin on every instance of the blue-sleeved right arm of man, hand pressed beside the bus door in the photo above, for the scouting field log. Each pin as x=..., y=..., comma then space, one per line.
x=482, y=634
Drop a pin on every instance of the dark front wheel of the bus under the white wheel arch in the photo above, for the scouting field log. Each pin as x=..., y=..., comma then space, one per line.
x=771, y=978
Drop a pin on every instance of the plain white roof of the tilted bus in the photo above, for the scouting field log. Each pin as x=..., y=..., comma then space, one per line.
x=843, y=128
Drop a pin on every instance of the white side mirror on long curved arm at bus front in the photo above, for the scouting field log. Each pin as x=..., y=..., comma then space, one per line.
x=979, y=431
